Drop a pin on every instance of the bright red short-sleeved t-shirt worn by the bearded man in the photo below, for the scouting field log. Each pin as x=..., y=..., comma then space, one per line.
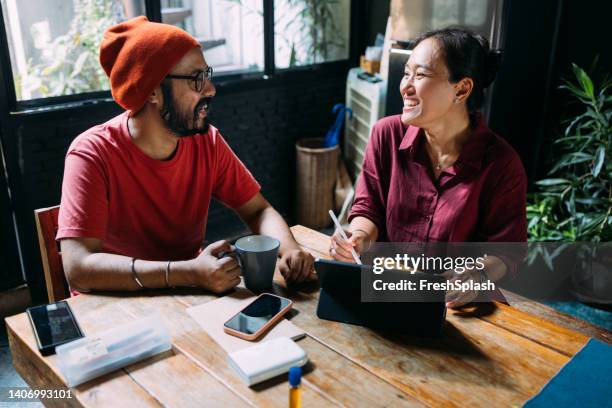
x=142, y=207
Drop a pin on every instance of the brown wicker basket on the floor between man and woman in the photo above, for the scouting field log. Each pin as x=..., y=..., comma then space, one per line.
x=316, y=168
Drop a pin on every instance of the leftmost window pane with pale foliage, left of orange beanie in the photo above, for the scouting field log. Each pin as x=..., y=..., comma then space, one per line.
x=54, y=44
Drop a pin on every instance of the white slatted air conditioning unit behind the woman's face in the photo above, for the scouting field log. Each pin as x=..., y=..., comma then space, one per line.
x=367, y=100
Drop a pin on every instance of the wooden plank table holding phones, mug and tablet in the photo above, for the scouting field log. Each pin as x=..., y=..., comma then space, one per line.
x=492, y=355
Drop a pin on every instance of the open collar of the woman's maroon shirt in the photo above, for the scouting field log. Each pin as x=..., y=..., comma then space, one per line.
x=473, y=150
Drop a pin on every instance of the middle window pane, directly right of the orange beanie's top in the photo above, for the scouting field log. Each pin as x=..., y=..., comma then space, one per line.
x=230, y=31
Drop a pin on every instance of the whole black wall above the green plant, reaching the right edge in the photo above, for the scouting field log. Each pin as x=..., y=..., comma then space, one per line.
x=541, y=40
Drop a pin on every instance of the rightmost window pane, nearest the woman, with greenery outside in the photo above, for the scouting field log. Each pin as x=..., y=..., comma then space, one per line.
x=311, y=31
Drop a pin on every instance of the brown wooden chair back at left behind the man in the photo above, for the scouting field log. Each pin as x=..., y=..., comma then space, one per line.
x=46, y=225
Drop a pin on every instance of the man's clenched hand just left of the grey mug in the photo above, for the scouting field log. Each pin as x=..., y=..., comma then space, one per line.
x=212, y=273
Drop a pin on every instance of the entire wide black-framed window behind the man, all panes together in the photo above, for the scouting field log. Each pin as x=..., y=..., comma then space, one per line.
x=53, y=45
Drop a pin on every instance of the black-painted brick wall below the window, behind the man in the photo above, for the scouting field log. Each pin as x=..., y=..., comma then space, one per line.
x=261, y=122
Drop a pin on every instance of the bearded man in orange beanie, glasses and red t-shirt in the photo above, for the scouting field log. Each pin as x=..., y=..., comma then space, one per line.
x=137, y=188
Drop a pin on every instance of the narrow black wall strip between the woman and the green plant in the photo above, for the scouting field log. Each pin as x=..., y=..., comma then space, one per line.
x=523, y=84
